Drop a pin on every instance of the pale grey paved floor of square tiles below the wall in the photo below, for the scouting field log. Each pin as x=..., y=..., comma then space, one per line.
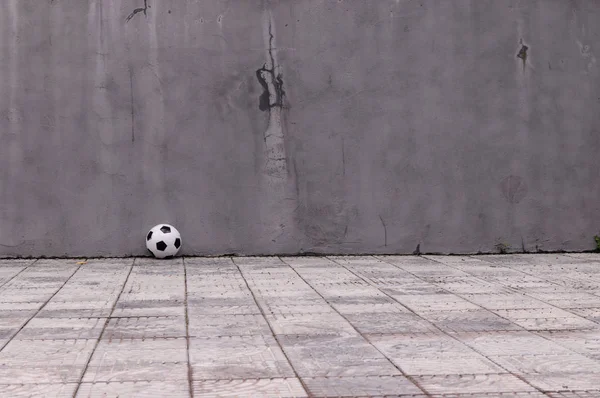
x=523, y=326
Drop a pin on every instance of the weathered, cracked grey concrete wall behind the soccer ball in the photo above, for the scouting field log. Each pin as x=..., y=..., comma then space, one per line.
x=344, y=126
